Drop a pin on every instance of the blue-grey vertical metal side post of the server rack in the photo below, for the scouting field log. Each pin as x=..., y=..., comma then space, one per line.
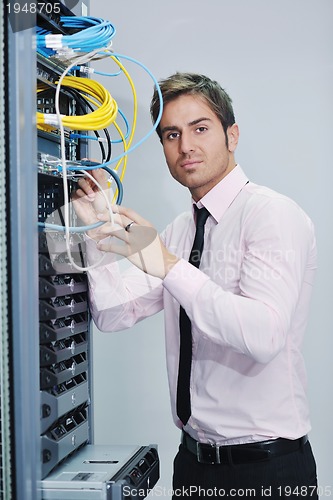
x=20, y=187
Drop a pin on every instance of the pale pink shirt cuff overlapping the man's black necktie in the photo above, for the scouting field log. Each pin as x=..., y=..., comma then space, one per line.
x=184, y=282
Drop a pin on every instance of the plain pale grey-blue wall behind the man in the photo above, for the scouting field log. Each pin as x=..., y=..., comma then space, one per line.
x=275, y=60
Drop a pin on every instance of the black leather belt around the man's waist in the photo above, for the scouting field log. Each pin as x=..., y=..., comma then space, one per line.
x=241, y=453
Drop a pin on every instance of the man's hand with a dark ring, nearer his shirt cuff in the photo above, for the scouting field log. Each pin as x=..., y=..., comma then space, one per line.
x=135, y=238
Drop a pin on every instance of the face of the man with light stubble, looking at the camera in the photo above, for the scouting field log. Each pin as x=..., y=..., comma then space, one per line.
x=194, y=144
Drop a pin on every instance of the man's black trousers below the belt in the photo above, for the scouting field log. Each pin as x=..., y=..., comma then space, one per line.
x=292, y=475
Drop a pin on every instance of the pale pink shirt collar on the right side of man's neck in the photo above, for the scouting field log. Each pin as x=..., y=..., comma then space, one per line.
x=220, y=197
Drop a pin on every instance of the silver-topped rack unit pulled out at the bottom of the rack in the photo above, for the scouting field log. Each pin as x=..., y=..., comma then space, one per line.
x=104, y=473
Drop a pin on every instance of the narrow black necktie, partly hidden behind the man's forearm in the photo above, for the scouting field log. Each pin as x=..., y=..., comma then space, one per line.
x=185, y=350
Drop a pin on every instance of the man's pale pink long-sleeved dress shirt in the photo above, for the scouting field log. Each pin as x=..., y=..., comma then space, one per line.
x=248, y=304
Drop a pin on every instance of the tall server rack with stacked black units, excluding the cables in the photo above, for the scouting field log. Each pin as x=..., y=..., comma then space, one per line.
x=49, y=369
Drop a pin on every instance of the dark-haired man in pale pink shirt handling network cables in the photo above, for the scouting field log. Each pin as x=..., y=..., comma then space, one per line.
x=244, y=416
